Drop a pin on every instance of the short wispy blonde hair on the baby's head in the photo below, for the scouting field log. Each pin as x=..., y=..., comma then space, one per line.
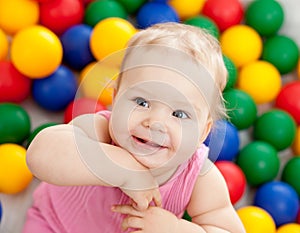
x=196, y=42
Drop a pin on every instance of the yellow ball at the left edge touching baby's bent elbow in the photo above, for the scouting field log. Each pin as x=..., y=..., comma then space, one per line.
x=14, y=173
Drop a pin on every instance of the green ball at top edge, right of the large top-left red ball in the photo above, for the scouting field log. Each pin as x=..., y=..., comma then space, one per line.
x=102, y=9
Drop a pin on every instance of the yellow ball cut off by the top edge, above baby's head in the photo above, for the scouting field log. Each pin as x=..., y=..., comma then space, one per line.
x=187, y=8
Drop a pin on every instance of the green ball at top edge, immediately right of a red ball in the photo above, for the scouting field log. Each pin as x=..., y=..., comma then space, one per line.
x=265, y=16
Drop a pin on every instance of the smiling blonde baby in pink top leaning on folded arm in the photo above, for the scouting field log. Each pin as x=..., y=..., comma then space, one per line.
x=140, y=166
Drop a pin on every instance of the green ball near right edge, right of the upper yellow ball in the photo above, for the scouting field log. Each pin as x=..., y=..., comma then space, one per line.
x=282, y=52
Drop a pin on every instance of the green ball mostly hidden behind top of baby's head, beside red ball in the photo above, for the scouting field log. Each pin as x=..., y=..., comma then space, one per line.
x=205, y=23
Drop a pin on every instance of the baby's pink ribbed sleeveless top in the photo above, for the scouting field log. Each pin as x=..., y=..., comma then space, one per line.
x=80, y=209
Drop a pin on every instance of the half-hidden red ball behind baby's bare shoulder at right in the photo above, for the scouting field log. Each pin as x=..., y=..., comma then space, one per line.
x=235, y=179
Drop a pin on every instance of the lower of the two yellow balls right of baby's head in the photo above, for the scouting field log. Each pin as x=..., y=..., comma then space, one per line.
x=261, y=80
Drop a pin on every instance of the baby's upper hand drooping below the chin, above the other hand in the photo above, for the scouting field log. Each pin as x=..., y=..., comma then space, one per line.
x=142, y=198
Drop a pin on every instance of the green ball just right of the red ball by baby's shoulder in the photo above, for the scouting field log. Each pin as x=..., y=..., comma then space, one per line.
x=259, y=162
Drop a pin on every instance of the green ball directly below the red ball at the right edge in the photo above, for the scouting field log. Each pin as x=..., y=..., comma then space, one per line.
x=276, y=127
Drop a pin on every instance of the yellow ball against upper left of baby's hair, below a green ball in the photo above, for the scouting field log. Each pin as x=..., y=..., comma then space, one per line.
x=109, y=36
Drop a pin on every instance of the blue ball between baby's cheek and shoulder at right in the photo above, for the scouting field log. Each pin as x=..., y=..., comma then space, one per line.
x=223, y=141
